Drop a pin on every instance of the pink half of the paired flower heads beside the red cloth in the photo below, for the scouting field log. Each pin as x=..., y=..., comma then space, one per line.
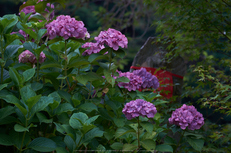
x=135, y=81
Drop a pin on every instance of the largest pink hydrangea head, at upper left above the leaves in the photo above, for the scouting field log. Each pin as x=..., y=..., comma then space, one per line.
x=66, y=27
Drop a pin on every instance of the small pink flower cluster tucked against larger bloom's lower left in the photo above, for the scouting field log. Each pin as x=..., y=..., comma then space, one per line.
x=93, y=48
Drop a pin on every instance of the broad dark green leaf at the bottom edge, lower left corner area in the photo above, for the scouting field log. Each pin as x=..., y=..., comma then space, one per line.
x=42, y=144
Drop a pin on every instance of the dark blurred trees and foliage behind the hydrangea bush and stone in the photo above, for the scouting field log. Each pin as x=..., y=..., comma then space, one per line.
x=199, y=28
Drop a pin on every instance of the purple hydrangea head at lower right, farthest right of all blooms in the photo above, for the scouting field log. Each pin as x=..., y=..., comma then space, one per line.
x=187, y=116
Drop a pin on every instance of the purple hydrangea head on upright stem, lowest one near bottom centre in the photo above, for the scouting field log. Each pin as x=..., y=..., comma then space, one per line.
x=139, y=107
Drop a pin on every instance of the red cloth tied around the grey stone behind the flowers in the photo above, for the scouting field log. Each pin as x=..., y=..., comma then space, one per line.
x=165, y=80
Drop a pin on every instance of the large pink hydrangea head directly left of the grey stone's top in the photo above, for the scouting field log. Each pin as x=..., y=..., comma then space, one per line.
x=112, y=38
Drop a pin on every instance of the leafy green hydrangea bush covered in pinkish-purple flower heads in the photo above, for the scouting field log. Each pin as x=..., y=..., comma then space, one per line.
x=54, y=100
